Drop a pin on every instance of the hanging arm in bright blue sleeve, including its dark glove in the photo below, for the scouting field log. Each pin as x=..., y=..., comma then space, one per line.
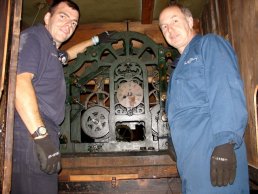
x=228, y=108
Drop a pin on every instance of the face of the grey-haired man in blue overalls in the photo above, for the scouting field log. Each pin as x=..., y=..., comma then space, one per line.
x=176, y=27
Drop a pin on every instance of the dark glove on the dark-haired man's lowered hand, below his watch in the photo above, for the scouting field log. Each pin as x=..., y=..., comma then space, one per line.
x=48, y=155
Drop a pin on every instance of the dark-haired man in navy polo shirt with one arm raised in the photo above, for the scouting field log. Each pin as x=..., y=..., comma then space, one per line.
x=40, y=98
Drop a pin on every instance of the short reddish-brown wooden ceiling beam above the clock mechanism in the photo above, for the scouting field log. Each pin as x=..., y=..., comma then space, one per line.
x=147, y=11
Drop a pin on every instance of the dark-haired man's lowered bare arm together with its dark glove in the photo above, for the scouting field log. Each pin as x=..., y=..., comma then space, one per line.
x=27, y=107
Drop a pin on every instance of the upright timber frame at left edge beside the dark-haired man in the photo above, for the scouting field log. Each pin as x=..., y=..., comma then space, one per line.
x=10, y=21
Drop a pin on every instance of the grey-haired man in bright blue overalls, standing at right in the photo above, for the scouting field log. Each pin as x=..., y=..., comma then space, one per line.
x=206, y=109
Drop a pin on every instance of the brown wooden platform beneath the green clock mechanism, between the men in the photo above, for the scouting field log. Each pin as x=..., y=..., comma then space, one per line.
x=117, y=173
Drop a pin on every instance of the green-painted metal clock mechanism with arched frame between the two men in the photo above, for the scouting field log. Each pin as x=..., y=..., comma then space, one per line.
x=116, y=96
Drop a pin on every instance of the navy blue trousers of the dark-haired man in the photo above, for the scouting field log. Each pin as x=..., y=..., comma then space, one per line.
x=27, y=178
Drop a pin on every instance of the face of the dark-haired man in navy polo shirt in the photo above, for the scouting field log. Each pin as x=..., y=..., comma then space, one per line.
x=61, y=23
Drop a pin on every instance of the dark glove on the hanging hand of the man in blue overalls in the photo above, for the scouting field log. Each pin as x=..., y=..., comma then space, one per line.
x=223, y=165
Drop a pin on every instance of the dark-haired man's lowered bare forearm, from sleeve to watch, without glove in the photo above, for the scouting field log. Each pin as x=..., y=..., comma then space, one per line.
x=26, y=102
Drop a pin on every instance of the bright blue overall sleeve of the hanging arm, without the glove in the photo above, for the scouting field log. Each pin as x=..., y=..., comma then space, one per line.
x=225, y=92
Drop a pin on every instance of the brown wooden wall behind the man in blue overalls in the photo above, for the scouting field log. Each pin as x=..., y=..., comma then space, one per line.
x=236, y=20
